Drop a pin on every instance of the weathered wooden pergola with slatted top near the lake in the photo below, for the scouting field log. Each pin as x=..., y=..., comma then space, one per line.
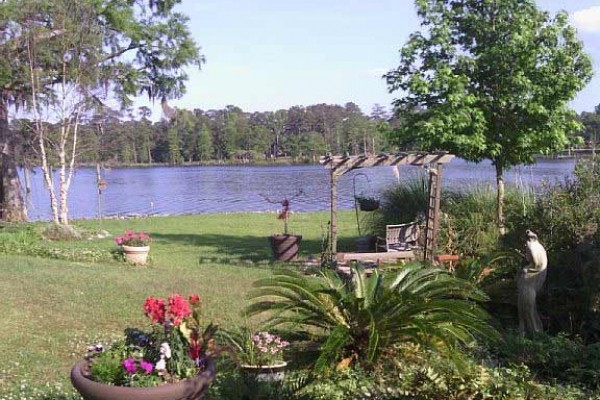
x=339, y=165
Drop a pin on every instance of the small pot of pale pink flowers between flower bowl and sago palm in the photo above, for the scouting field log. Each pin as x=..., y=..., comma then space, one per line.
x=258, y=353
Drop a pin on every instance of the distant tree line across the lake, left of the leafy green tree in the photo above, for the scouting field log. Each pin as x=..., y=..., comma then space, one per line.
x=225, y=135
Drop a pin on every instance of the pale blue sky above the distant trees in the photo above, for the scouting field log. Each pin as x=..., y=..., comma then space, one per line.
x=265, y=55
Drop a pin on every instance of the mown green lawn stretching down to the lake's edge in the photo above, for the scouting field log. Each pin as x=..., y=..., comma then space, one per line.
x=52, y=309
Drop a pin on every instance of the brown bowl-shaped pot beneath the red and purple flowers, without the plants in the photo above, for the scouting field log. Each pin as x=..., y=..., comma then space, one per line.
x=189, y=389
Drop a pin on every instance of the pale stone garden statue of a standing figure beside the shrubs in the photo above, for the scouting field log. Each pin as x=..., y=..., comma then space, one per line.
x=529, y=281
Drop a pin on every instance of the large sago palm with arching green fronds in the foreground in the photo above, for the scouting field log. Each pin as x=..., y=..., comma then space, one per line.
x=359, y=318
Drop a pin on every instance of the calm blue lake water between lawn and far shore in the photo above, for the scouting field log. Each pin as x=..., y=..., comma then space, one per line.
x=185, y=190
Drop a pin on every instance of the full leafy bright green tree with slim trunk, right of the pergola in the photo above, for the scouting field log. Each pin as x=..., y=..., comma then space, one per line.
x=489, y=79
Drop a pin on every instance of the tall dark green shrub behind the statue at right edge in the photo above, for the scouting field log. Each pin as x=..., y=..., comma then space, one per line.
x=566, y=218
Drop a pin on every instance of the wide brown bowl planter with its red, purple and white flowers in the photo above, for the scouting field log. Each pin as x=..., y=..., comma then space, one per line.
x=171, y=360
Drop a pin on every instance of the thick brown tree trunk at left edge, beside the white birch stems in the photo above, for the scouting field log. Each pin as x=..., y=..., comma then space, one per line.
x=11, y=208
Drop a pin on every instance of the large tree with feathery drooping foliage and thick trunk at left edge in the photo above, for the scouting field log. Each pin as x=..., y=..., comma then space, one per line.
x=144, y=48
